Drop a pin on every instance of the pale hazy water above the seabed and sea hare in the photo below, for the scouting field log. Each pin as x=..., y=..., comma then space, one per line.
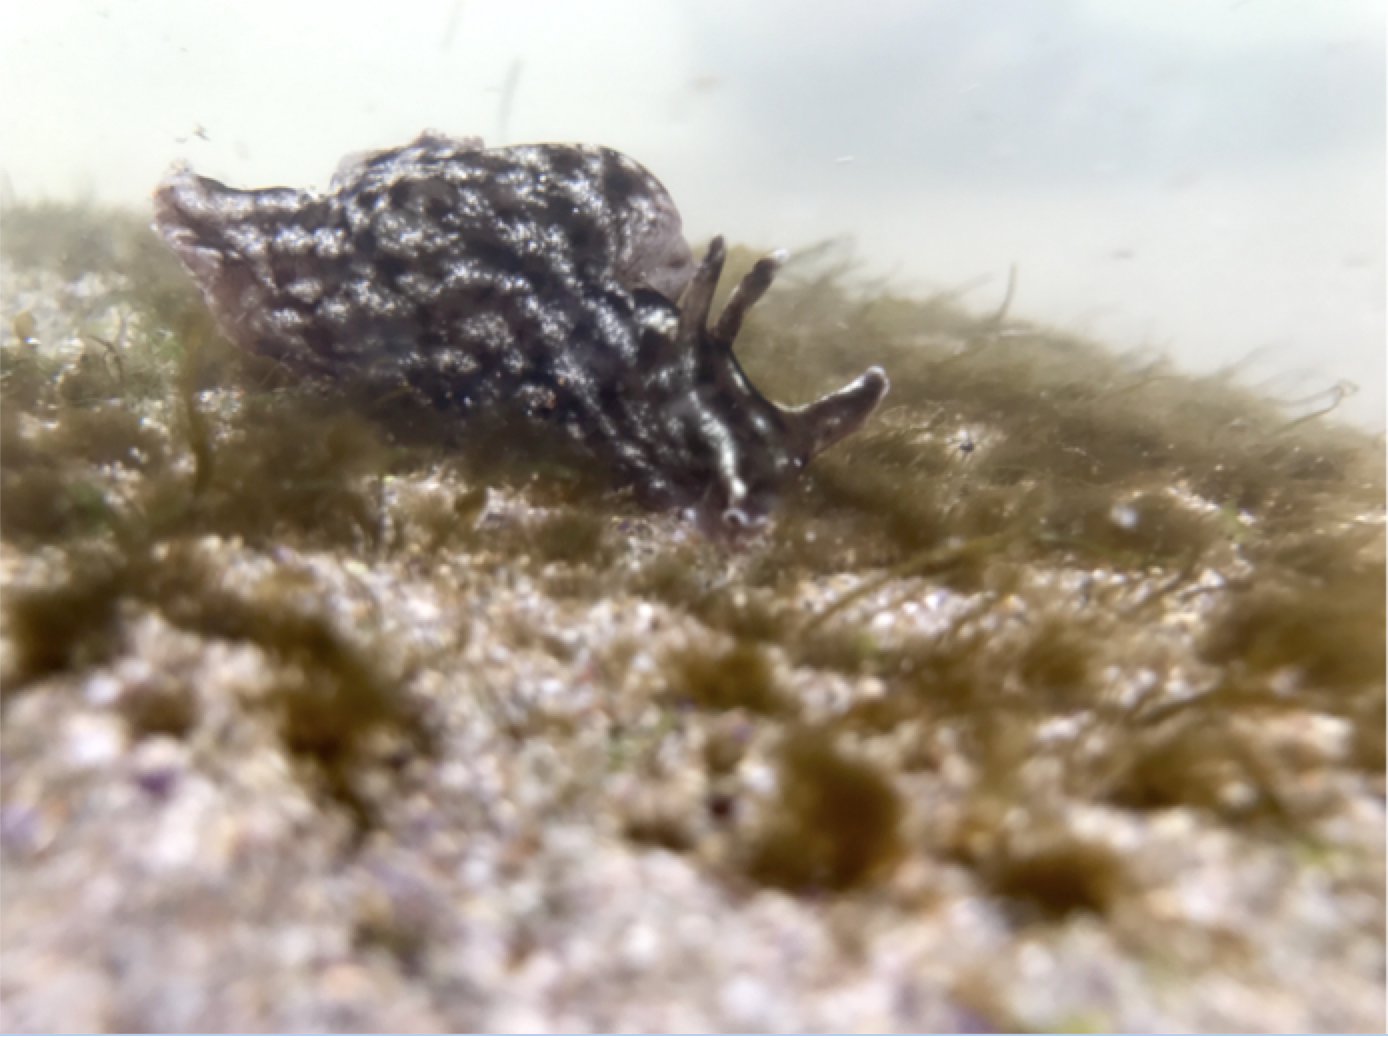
x=1197, y=177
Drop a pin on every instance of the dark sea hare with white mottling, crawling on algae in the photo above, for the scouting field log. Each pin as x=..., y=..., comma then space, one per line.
x=543, y=277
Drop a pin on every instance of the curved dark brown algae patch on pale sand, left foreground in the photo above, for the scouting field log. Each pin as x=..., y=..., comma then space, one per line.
x=331, y=698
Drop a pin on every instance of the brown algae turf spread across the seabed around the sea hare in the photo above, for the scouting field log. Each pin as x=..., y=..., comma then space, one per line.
x=1150, y=564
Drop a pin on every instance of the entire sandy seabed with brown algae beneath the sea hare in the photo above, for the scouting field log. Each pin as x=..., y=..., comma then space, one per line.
x=1051, y=702
